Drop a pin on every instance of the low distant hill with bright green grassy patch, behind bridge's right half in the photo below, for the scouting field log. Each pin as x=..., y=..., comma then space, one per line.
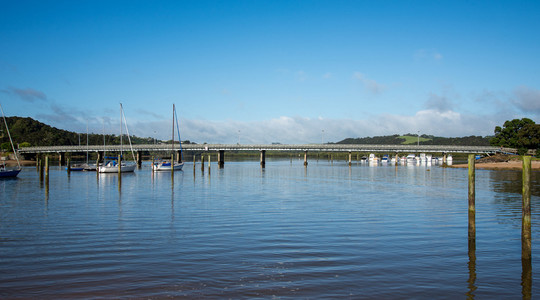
x=410, y=139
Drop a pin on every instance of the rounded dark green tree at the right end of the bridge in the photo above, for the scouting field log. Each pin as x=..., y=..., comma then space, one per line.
x=522, y=134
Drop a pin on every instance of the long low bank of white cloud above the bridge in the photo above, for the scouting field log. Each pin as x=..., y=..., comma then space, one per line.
x=303, y=130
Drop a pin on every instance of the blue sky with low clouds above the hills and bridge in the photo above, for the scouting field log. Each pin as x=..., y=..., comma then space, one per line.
x=272, y=71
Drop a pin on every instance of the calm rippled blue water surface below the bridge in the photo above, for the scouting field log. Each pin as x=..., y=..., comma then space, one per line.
x=325, y=231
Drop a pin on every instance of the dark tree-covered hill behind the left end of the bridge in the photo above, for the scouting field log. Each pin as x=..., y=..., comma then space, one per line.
x=35, y=133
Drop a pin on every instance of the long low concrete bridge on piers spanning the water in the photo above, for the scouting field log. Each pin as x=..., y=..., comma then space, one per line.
x=221, y=148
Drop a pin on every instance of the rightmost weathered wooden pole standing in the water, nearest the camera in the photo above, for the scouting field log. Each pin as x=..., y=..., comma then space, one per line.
x=526, y=215
